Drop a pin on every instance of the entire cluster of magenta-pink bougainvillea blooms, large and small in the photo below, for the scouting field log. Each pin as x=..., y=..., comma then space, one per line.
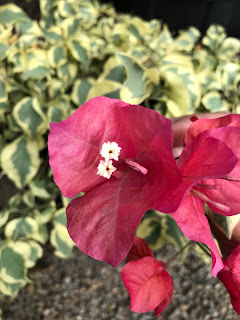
x=121, y=156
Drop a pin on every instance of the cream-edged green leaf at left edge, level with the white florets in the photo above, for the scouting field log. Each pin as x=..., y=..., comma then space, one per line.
x=20, y=160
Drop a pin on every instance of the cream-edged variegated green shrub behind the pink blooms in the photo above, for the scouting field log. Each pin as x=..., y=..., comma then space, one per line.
x=78, y=50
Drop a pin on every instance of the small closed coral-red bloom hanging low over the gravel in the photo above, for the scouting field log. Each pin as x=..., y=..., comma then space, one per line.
x=149, y=284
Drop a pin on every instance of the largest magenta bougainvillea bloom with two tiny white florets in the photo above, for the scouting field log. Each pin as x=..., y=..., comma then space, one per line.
x=120, y=155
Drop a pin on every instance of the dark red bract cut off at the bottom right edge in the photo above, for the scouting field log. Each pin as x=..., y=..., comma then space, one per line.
x=230, y=277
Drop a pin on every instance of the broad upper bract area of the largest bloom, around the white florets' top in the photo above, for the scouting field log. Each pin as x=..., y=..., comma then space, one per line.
x=75, y=143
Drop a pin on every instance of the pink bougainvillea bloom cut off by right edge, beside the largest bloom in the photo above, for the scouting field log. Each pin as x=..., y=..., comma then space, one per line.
x=209, y=163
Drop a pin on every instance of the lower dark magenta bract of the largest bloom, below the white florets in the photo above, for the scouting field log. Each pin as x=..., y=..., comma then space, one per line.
x=102, y=223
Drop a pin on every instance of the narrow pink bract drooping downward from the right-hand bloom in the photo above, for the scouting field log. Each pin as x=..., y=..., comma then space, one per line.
x=191, y=219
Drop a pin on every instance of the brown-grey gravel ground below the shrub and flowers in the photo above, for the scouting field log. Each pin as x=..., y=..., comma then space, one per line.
x=81, y=288
